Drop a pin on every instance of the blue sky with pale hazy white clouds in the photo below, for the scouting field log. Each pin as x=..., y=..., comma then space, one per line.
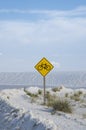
x=32, y=29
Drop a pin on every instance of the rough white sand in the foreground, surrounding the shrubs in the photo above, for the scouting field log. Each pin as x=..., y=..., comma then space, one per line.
x=19, y=112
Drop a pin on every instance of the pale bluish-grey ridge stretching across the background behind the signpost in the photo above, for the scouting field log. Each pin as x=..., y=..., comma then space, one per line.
x=68, y=79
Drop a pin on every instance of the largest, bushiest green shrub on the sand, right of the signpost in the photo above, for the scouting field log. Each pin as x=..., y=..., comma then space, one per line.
x=62, y=105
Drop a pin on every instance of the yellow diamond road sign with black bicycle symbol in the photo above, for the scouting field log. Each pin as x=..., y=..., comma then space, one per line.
x=44, y=66
